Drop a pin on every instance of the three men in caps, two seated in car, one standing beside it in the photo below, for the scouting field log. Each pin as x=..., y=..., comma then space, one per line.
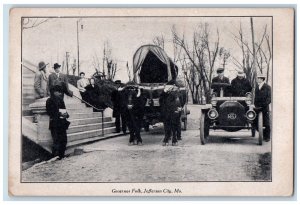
x=239, y=87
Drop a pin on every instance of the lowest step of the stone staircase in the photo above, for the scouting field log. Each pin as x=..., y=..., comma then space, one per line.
x=88, y=134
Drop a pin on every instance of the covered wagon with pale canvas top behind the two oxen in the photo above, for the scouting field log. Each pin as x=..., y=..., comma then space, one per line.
x=152, y=70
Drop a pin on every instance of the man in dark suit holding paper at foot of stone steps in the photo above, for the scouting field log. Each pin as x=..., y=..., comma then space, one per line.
x=58, y=124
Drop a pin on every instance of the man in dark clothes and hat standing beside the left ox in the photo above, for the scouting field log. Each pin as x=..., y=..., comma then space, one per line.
x=118, y=108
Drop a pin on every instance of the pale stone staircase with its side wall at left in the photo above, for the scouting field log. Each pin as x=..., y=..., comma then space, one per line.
x=85, y=127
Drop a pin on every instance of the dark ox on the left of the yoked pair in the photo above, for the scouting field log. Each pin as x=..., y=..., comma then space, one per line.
x=134, y=104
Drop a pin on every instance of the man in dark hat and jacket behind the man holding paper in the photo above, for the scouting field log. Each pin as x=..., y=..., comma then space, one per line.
x=57, y=78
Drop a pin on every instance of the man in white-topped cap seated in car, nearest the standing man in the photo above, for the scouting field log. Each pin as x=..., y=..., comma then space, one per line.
x=240, y=85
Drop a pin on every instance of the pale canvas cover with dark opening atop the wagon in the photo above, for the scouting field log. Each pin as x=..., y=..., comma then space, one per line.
x=151, y=64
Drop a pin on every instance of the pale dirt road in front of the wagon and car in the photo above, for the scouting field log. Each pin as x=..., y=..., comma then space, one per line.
x=226, y=157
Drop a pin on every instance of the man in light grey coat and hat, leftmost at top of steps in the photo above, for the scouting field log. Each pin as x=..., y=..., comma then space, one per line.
x=40, y=81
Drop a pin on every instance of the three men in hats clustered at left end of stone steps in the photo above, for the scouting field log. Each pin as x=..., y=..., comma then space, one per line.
x=55, y=85
